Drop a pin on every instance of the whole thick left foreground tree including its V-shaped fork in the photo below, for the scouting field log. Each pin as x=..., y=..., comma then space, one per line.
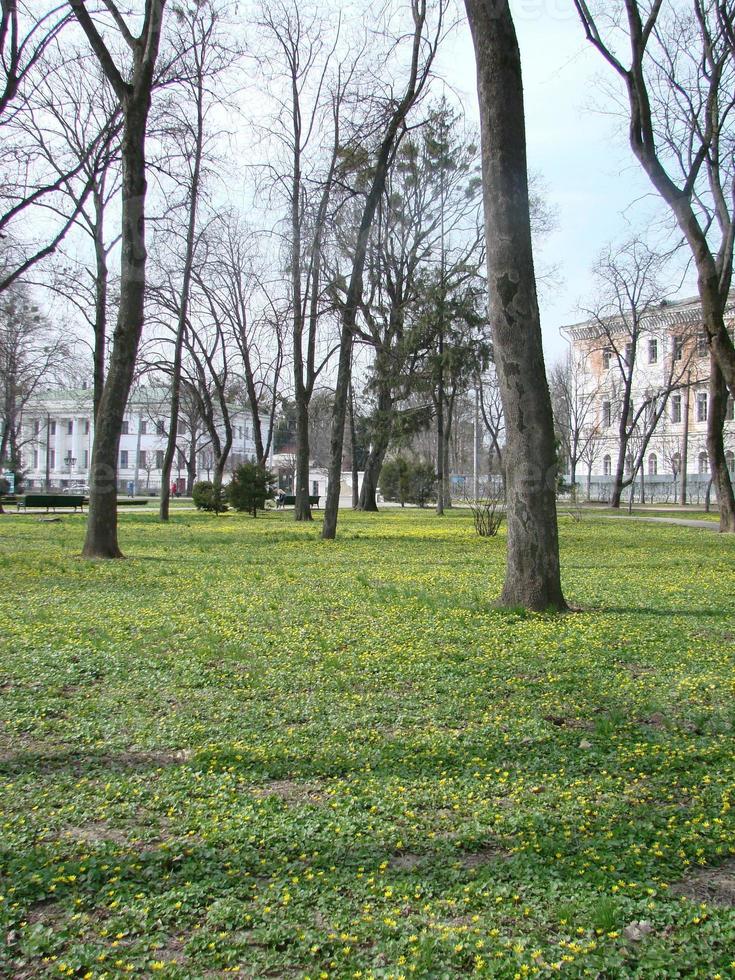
x=133, y=87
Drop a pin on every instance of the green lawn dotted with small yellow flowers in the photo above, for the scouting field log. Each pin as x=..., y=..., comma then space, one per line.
x=247, y=751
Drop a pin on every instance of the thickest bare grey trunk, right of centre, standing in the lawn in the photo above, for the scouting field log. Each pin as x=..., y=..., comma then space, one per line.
x=532, y=576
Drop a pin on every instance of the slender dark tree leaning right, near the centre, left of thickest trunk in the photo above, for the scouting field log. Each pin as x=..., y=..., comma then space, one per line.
x=424, y=43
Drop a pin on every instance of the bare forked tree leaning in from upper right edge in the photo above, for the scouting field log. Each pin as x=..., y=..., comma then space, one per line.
x=679, y=77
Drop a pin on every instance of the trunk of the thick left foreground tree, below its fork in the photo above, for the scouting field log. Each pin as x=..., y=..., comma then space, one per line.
x=101, y=537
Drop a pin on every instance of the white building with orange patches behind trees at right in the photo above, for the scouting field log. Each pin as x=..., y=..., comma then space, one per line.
x=668, y=369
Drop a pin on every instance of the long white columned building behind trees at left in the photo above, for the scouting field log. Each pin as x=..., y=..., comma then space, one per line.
x=58, y=430
